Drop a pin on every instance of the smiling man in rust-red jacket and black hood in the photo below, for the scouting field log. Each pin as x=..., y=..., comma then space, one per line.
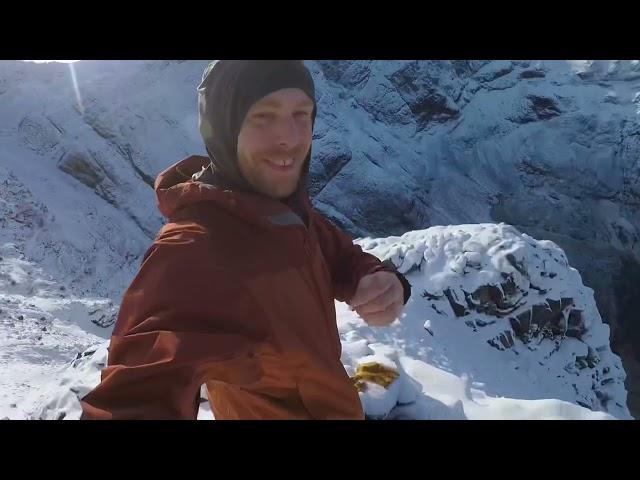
x=237, y=291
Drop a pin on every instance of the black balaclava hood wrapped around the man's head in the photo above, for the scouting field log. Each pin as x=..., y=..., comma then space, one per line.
x=228, y=90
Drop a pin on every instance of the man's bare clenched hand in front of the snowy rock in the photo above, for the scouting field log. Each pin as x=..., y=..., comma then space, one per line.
x=379, y=298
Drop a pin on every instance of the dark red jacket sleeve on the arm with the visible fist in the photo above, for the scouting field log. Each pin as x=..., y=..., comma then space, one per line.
x=347, y=261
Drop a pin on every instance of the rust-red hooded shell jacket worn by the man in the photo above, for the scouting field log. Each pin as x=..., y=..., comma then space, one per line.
x=235, y=292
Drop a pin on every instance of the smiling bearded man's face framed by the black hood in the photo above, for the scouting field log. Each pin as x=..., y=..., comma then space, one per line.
x=274, y=140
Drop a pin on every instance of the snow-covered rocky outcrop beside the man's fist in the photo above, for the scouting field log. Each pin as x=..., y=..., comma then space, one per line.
x=505, y=313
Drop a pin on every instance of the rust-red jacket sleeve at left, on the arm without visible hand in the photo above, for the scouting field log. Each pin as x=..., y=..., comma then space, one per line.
x=173, y=334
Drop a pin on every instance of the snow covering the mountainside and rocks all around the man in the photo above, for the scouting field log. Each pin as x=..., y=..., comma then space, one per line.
x=57, y=230
